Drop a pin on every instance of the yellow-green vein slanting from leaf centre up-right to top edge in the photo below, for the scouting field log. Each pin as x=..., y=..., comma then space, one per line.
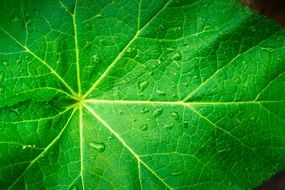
x=120, y=55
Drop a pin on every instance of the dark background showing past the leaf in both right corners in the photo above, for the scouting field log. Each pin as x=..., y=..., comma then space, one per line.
x=275, y=10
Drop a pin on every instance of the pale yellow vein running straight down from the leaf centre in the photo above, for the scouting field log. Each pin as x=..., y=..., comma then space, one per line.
x=81, y=145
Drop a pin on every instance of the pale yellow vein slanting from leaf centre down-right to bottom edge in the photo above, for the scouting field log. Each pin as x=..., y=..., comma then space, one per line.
x=126, y=145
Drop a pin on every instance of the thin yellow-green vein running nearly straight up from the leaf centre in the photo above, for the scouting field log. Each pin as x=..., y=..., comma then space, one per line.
x=76, y=48
